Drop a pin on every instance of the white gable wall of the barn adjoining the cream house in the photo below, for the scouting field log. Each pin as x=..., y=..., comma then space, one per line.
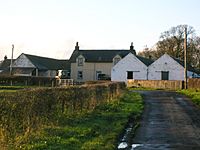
x=129, y=63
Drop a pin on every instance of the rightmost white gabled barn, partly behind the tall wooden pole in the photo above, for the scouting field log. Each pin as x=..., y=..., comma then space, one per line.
x=169, y=68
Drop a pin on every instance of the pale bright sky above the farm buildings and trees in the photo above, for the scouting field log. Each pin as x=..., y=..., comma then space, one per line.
x=51, y=28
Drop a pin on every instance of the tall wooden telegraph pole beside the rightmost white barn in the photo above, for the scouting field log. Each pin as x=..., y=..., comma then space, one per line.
x=185, y=58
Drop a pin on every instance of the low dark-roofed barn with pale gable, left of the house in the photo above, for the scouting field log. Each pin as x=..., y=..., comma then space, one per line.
x=31, y=65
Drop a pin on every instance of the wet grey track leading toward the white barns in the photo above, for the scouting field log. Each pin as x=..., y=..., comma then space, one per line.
x=170, y=121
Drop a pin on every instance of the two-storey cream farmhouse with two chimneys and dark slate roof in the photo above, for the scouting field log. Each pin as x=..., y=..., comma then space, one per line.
x=87, y=65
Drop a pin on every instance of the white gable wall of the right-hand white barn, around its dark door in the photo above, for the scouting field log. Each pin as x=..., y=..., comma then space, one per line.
x=165, y=63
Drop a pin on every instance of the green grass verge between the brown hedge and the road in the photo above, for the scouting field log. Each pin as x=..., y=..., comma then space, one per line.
x=98, y=129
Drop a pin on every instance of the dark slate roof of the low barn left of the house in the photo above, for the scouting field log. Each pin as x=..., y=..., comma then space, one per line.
x=44, y=63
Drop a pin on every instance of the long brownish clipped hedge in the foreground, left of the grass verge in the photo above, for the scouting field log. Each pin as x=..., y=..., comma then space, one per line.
x=26, y=111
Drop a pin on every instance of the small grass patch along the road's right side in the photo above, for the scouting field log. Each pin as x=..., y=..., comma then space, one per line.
x=193, y=94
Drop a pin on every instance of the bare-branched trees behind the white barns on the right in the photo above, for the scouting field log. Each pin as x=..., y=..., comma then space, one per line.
x=172, y=43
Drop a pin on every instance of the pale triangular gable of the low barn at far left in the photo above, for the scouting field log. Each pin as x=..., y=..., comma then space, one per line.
x=23, y=61
